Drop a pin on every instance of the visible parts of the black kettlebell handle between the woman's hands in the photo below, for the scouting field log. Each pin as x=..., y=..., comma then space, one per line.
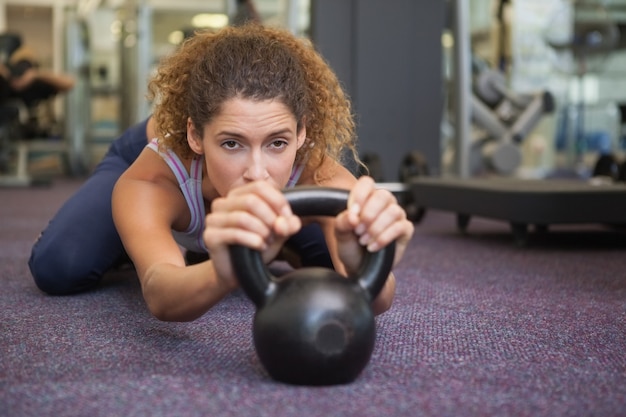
x=258, y=282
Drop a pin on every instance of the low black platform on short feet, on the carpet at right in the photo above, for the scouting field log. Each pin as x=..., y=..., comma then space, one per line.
x=523, y=202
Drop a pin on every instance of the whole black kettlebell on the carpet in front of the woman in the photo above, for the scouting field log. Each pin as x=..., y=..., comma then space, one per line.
x=313, y=326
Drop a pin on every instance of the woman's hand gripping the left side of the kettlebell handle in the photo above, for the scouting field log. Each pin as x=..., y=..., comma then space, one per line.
x=256, y=215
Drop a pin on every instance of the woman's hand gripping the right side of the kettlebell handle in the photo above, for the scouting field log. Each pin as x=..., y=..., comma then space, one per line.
x=373, y=219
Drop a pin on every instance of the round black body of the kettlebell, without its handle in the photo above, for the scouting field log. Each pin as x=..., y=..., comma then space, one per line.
x=316, y=329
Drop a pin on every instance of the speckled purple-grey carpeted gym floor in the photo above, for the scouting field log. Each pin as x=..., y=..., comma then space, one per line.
x=480, y=327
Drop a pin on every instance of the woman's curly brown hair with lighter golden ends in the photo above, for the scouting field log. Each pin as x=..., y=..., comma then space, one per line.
x=258, y=63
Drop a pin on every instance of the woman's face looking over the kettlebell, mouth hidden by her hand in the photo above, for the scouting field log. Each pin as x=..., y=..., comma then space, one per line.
x=248, y=141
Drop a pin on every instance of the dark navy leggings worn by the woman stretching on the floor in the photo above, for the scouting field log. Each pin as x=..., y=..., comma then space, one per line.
x=81, y=243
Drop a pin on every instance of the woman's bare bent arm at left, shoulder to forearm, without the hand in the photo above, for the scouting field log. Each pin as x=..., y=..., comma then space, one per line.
x=145, y=210
